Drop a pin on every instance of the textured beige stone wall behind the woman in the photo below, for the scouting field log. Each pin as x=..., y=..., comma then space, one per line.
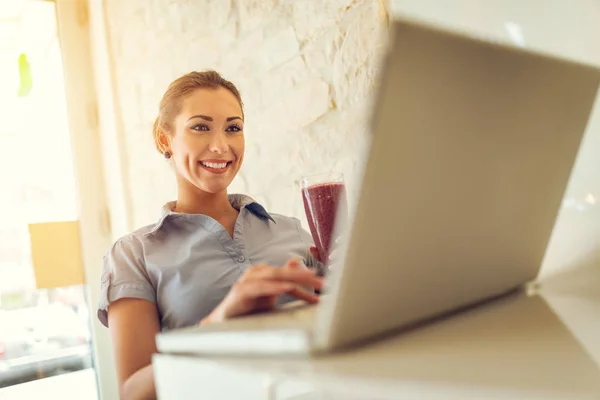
x=305, y=68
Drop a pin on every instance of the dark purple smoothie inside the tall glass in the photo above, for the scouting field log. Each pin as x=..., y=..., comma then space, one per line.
x=322, y=202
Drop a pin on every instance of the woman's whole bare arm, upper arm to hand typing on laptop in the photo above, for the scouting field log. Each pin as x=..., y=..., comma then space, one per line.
x=134, y=323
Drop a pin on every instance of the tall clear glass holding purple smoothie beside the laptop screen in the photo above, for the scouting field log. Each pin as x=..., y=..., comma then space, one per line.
x=324, y=197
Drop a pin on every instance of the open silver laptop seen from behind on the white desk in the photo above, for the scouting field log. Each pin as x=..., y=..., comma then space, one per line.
x=472, y=147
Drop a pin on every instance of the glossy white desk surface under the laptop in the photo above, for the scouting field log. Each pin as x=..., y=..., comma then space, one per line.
x=519, y=347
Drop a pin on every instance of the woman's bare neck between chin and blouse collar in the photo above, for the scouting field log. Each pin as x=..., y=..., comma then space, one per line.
x=191, y=200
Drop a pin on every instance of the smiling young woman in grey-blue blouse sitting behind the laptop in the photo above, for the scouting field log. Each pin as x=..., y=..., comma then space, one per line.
x=212, y=255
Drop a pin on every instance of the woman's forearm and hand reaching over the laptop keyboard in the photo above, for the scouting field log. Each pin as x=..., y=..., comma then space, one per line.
x=261, y=285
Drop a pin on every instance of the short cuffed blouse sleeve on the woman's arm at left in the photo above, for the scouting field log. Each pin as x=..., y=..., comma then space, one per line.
x=124, y=275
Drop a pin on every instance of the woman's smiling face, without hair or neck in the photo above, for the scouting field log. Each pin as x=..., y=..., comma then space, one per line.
x=207, y=143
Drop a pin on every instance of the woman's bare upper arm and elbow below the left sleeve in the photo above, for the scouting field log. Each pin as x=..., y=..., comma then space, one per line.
x=133, y=326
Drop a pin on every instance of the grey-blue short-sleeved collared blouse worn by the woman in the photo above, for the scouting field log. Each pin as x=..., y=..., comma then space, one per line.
x=186, y=263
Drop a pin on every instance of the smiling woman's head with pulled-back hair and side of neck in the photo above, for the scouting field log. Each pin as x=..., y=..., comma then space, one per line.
x=206, y=149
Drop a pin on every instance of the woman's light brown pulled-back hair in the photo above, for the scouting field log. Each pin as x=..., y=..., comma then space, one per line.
x=170, y=104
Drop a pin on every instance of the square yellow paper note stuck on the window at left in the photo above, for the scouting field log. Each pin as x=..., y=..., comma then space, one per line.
x=56, y=254
